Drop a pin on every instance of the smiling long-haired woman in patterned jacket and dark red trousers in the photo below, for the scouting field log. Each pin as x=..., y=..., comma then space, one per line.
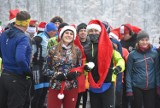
x=67, y=60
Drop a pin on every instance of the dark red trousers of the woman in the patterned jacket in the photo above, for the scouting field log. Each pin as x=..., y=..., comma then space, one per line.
x=69, y=100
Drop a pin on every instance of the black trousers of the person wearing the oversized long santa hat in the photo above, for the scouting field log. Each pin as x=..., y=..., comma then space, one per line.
x=103, y=100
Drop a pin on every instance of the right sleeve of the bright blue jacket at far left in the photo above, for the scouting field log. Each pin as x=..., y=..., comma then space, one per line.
x=23, y=54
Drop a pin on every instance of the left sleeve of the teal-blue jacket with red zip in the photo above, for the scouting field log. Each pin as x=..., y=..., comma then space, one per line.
x=129, y=73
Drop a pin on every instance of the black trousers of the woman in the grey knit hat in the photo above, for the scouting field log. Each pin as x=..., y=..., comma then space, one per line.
x=144, y=98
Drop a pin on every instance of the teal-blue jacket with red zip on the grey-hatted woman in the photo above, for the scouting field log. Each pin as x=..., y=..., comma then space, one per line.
x=142, y=70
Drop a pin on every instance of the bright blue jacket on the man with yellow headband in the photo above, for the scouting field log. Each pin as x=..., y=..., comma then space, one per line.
x=15, y=51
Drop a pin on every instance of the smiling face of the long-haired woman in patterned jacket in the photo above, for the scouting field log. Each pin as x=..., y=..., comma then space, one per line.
x=67, y=37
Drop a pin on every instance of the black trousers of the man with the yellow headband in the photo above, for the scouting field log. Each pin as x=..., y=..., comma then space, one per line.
x=13, y=91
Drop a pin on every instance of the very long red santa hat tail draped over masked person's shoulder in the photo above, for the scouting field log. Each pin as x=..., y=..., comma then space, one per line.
x=105, y=51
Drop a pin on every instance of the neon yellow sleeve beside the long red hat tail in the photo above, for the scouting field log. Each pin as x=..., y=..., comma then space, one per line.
x=118, y=60
